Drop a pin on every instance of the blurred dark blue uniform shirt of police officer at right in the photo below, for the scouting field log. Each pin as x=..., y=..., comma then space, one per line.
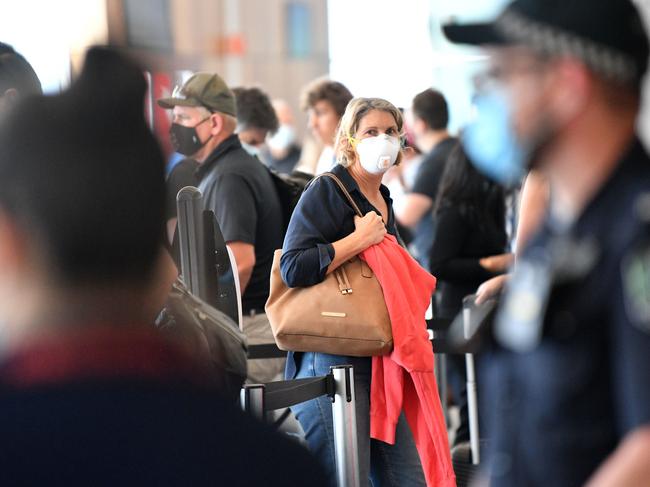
x=571, y=374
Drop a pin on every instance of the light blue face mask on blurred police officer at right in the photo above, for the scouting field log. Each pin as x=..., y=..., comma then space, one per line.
x=490, y=141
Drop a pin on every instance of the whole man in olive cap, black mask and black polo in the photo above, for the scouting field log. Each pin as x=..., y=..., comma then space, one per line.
x=240, y=192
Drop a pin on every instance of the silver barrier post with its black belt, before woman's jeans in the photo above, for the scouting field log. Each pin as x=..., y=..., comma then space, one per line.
x=338, y=385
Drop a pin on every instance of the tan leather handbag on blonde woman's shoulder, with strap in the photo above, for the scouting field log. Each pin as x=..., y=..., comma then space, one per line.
x=343, y=315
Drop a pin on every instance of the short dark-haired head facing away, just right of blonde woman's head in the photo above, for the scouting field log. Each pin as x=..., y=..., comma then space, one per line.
x=430, y=116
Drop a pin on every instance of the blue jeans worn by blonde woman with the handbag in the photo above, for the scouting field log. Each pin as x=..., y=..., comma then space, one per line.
x=383, y=464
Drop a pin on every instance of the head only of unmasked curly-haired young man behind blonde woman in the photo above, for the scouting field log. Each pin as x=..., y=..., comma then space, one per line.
x=325, y=102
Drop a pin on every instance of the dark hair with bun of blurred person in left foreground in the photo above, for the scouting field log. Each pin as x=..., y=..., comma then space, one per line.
x=82, y=176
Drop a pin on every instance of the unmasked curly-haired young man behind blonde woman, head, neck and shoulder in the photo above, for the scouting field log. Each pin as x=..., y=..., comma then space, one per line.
x=324, y=101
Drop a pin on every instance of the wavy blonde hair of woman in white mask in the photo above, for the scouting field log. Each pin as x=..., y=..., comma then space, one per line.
x=354, y=113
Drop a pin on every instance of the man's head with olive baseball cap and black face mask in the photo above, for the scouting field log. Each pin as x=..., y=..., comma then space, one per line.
x=204, y=115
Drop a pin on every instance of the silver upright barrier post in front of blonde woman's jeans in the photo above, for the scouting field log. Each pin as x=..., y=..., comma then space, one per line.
x=345, y=427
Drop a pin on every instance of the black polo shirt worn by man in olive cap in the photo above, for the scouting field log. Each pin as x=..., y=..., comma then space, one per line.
x=239, y=189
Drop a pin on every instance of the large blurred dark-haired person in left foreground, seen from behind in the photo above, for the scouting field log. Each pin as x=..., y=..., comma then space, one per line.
x=91, y=392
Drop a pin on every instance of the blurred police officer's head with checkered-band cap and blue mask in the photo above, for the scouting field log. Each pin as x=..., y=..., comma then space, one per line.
x=552, y=64
